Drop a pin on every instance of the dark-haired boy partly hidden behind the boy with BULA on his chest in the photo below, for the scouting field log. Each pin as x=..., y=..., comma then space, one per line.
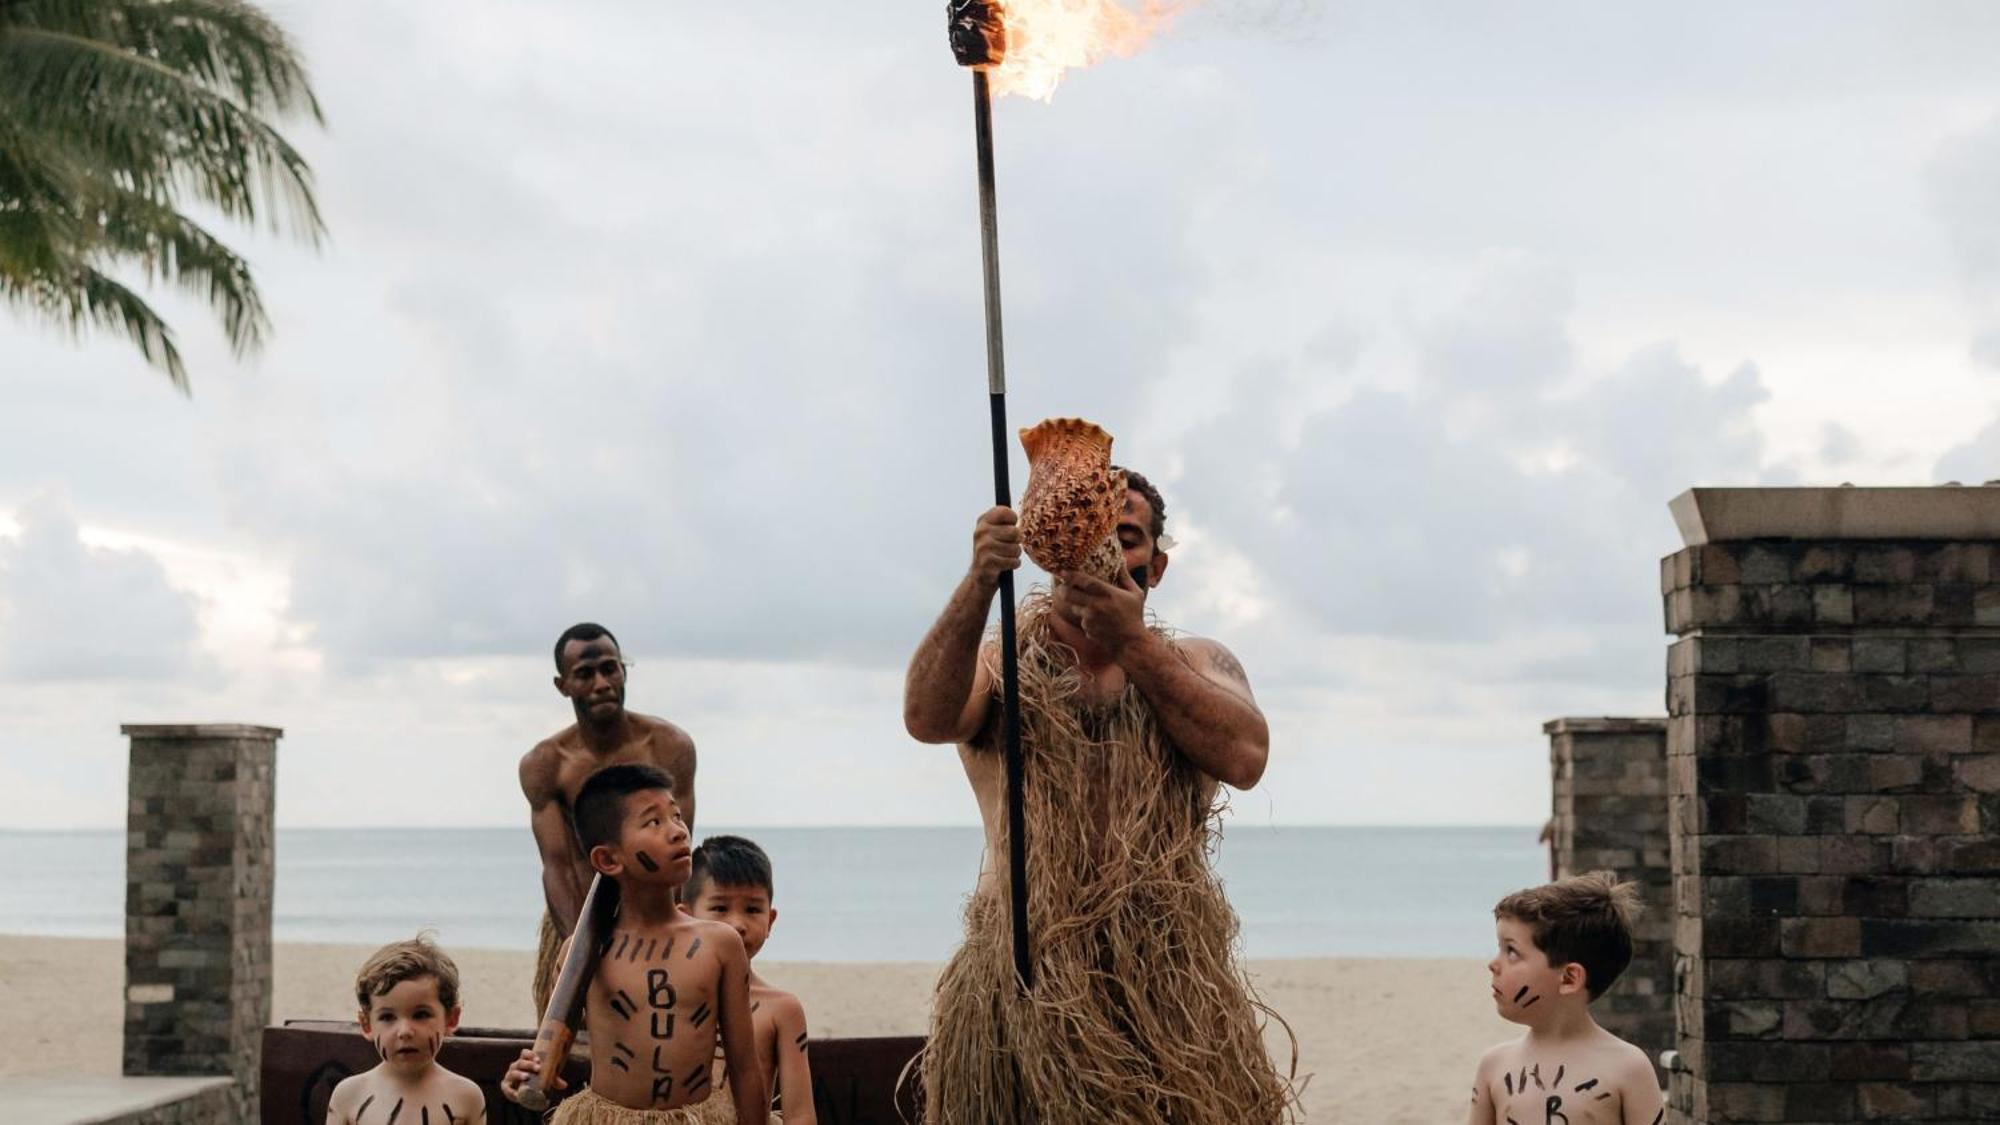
x=733, y=886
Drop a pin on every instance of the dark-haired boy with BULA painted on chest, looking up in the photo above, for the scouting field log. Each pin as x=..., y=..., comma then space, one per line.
x=669, y=986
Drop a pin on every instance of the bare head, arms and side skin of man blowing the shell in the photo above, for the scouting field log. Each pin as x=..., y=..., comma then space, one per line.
x=1197, y=688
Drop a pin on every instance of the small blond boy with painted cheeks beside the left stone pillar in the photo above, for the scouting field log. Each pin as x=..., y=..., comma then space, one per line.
x=409, y=1004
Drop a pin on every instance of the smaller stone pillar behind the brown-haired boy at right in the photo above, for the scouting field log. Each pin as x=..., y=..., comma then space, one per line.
x=1611, y=816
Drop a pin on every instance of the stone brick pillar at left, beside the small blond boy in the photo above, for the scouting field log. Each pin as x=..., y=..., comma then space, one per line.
x=199, y=886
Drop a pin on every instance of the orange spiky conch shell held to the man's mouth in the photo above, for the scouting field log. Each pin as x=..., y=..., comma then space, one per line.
x=1069, y=515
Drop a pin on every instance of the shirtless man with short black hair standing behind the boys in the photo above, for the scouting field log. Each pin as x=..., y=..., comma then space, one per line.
x=591, y=674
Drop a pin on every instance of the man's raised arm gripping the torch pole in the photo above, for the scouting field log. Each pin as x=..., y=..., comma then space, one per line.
x=947, y=692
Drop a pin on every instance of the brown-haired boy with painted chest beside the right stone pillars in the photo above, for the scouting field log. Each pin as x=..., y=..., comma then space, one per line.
x=1561, y=946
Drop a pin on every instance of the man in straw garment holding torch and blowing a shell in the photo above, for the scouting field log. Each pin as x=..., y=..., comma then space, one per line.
x=1139, y=1010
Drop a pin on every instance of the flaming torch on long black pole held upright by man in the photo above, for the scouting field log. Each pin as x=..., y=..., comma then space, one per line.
x=1025, y=45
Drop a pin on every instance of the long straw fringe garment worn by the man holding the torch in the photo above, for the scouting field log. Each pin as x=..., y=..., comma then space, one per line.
x=1141, y=1014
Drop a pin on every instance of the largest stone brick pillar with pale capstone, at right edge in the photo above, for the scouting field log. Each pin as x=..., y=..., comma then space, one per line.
x=1835, y=786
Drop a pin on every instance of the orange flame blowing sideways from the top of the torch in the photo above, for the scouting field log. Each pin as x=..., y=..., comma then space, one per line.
x=1049, y=37
